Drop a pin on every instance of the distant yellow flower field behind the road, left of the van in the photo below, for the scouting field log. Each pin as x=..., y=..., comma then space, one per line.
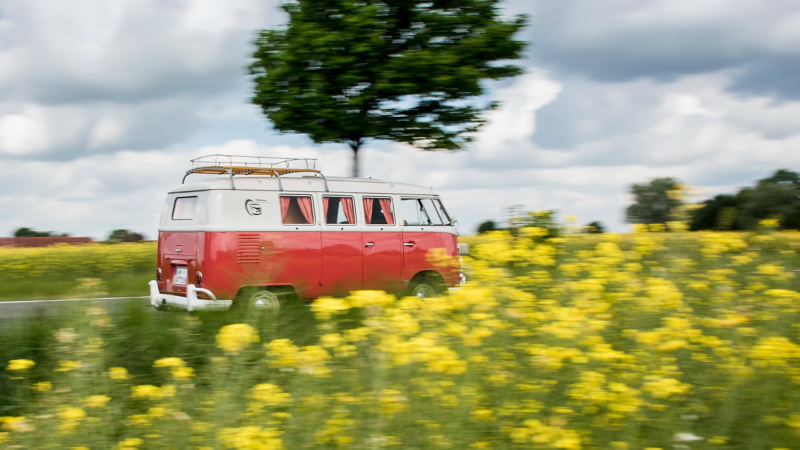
x=70, y=271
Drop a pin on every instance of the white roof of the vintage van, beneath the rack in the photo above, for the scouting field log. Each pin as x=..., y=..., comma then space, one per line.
x=304, y=183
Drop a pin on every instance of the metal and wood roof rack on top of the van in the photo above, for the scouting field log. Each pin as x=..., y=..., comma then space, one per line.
x=253, y=165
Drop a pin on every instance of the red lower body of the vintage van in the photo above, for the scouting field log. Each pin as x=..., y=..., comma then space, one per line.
x=313, y=263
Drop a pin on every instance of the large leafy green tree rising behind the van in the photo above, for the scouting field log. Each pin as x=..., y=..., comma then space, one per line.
x=346, y=71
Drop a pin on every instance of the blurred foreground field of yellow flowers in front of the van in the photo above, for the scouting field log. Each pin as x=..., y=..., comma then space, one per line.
x=650, y=340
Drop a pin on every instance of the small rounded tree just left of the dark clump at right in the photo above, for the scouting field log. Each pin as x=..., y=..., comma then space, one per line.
x=654, y=202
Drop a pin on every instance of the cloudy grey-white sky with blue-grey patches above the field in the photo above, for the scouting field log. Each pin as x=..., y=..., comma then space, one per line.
x=102, y=104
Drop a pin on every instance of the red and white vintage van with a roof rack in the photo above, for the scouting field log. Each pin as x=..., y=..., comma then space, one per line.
x=271, y=228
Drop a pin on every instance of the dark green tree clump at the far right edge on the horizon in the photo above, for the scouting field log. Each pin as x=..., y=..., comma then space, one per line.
x=775, y=197
